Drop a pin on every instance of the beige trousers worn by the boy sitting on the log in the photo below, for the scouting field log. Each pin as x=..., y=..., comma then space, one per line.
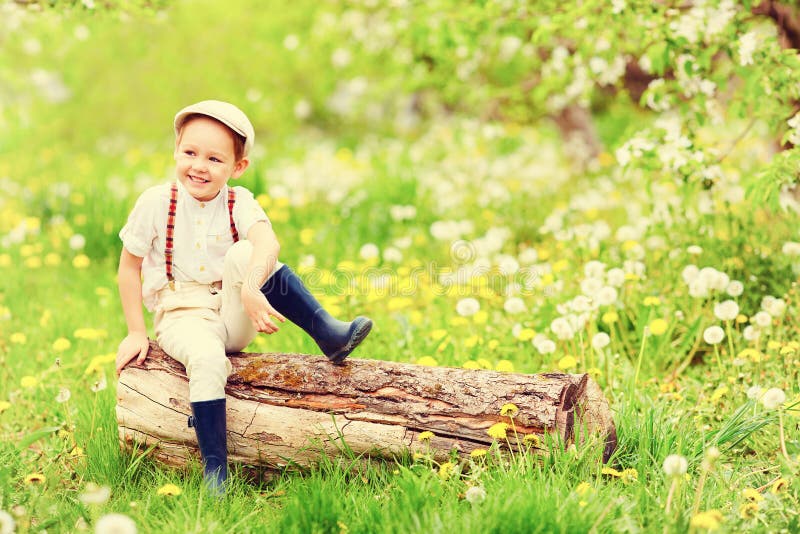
x=196, y=324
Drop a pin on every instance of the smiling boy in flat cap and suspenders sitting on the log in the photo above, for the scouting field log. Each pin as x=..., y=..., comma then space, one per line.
x=211, y=292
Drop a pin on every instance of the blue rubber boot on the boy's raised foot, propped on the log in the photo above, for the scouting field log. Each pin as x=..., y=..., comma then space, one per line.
x=337, y=339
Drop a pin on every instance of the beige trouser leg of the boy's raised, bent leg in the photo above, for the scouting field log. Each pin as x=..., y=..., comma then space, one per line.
x=240, y=331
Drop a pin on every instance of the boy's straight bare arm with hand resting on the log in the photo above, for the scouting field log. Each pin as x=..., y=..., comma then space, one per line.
x=129, y=280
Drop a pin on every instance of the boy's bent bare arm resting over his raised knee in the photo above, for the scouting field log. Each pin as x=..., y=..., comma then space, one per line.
x=262, y=262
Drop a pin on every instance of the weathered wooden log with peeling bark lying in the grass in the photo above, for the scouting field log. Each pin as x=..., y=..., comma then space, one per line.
x=289, y=409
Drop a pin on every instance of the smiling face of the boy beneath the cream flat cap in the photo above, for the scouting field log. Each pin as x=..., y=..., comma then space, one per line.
x=205, y=158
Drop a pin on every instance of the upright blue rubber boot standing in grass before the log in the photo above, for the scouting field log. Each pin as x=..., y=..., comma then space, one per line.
x=209, y=424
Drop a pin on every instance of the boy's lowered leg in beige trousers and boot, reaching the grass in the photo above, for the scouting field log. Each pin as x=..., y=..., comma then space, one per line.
x=196, y=341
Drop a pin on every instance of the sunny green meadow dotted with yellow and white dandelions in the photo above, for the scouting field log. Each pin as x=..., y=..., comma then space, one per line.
x=479, y=240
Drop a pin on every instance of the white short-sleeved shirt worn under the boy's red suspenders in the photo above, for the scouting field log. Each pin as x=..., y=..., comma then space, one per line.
x=202, y=235
